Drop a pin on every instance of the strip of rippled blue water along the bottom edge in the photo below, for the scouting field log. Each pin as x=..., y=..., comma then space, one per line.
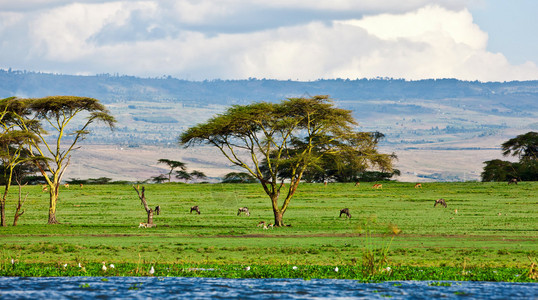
x=259, y=289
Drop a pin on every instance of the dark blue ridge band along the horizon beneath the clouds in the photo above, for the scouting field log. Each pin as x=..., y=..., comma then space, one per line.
x=113, y=88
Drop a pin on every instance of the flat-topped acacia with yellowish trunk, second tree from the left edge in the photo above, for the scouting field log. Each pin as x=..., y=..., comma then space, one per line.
x=57, y=113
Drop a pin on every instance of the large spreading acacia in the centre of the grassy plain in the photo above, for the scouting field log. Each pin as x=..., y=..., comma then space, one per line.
x=292, y=135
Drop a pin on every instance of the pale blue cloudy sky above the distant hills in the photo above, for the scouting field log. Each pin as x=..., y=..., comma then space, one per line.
x=485, y=40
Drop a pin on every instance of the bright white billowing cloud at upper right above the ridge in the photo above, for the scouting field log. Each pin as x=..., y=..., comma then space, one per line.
x=433, y=42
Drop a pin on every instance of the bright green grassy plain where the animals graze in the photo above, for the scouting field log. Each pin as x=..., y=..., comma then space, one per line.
x=496, y=225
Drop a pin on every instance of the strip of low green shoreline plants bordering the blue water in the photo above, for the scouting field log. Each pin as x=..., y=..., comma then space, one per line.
x=267, y=271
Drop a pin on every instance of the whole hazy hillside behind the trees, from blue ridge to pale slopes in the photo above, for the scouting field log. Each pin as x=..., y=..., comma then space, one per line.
x=445, y=116
